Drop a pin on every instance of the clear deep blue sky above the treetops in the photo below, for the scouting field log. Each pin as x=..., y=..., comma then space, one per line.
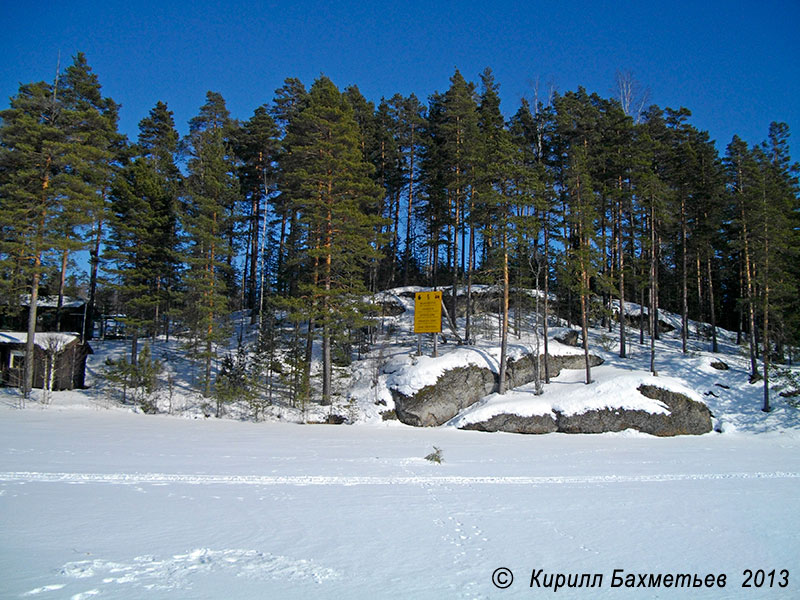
x=734, y=64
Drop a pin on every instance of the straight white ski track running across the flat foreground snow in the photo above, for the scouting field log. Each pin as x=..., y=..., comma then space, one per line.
x=323, y=480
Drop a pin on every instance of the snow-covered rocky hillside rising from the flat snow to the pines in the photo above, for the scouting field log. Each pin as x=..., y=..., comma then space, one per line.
x=363, y=388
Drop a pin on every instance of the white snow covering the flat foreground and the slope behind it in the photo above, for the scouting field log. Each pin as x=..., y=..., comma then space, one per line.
x=97, y=500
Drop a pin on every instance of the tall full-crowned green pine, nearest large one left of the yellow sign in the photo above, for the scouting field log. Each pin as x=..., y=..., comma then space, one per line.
x=334, y=197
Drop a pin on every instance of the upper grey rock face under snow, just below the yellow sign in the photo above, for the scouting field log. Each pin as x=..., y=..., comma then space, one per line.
x=460, y=388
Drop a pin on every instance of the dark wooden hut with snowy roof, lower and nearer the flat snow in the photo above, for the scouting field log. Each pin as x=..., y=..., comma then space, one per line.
x=59, y=357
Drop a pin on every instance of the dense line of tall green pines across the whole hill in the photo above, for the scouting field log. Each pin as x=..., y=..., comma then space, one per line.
x=322, y=197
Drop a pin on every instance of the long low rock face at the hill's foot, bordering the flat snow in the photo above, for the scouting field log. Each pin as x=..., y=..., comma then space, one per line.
x=686, y=417
